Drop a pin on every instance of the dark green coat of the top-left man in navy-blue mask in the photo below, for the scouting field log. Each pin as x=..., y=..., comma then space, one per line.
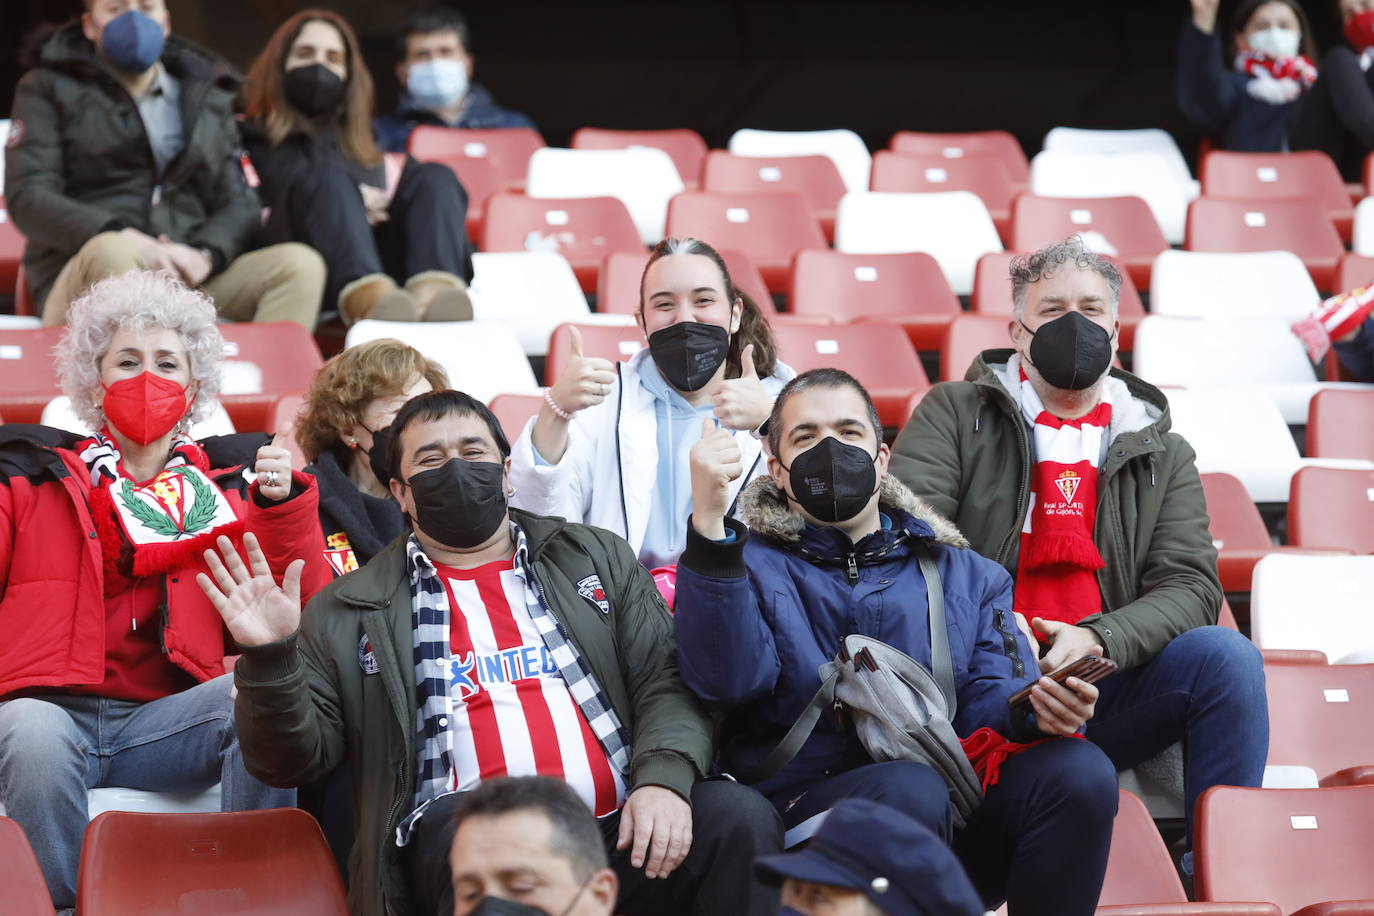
x=79, y=160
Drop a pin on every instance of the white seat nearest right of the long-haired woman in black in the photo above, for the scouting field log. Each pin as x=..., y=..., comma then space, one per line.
x=644, y=179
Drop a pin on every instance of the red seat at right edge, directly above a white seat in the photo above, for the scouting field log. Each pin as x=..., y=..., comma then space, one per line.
x=1333, y=509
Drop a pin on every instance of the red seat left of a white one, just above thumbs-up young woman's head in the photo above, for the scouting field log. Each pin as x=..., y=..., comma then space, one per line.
x=770, y=227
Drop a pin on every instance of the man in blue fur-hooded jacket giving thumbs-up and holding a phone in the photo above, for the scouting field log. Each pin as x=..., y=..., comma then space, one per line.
x=831, y=551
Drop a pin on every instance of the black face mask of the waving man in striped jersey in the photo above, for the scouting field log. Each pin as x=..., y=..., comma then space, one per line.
x=460, y=503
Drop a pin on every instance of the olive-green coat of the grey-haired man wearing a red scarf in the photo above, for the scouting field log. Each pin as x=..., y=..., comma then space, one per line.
x=967, y=451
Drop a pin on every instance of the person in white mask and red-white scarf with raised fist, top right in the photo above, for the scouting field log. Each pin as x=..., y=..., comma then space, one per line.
x=1246, y=86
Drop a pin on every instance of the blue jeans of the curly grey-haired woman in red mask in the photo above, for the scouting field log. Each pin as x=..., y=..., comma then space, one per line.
x=54, y=748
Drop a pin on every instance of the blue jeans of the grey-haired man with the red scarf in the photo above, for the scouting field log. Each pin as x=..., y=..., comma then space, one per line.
x=1204, y=689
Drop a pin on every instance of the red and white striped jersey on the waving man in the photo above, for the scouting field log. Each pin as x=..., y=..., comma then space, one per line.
x=513, y=713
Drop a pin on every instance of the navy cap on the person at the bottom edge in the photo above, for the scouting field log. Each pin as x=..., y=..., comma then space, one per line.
x=898, y=865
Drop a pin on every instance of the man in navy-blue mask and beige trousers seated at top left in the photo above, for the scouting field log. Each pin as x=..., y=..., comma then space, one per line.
x=124, y=154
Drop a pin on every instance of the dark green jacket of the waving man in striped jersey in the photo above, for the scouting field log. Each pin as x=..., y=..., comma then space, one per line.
x=304, y=704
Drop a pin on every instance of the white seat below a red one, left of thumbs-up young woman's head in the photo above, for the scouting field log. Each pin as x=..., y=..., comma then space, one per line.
x=530, y=292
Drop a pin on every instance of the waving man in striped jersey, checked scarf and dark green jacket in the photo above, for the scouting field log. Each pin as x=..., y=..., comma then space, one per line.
x=488, y=643
